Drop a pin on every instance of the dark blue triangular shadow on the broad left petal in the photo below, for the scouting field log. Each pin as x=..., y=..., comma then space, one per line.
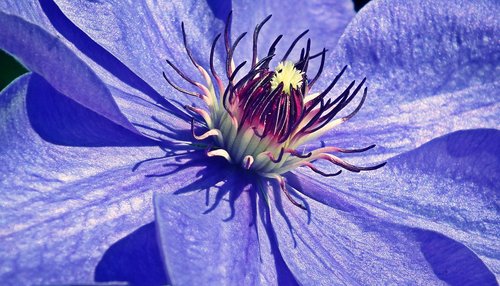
x=60, y=120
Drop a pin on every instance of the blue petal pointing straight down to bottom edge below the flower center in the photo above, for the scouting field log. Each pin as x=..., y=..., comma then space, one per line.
x=213, y=246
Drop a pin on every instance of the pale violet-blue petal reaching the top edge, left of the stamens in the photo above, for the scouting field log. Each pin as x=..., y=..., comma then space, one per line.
x=143, y=36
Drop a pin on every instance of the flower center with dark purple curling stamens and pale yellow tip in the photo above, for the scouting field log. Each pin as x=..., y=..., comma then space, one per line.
x=259, y=119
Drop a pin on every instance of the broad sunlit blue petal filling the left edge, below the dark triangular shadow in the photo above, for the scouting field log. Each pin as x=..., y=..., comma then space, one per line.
x=61, y=207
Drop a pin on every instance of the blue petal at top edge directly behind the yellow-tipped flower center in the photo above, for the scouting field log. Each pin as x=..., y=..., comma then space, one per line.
x=325, y=20
